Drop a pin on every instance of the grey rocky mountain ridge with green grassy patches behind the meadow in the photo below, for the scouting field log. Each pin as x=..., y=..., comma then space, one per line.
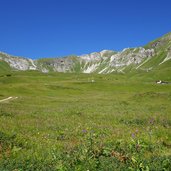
x=154, y=55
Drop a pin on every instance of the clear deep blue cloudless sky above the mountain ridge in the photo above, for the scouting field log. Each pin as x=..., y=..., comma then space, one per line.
x=51, y=28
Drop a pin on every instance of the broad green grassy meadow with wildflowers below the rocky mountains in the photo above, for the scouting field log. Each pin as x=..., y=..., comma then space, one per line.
x=66, y=122
